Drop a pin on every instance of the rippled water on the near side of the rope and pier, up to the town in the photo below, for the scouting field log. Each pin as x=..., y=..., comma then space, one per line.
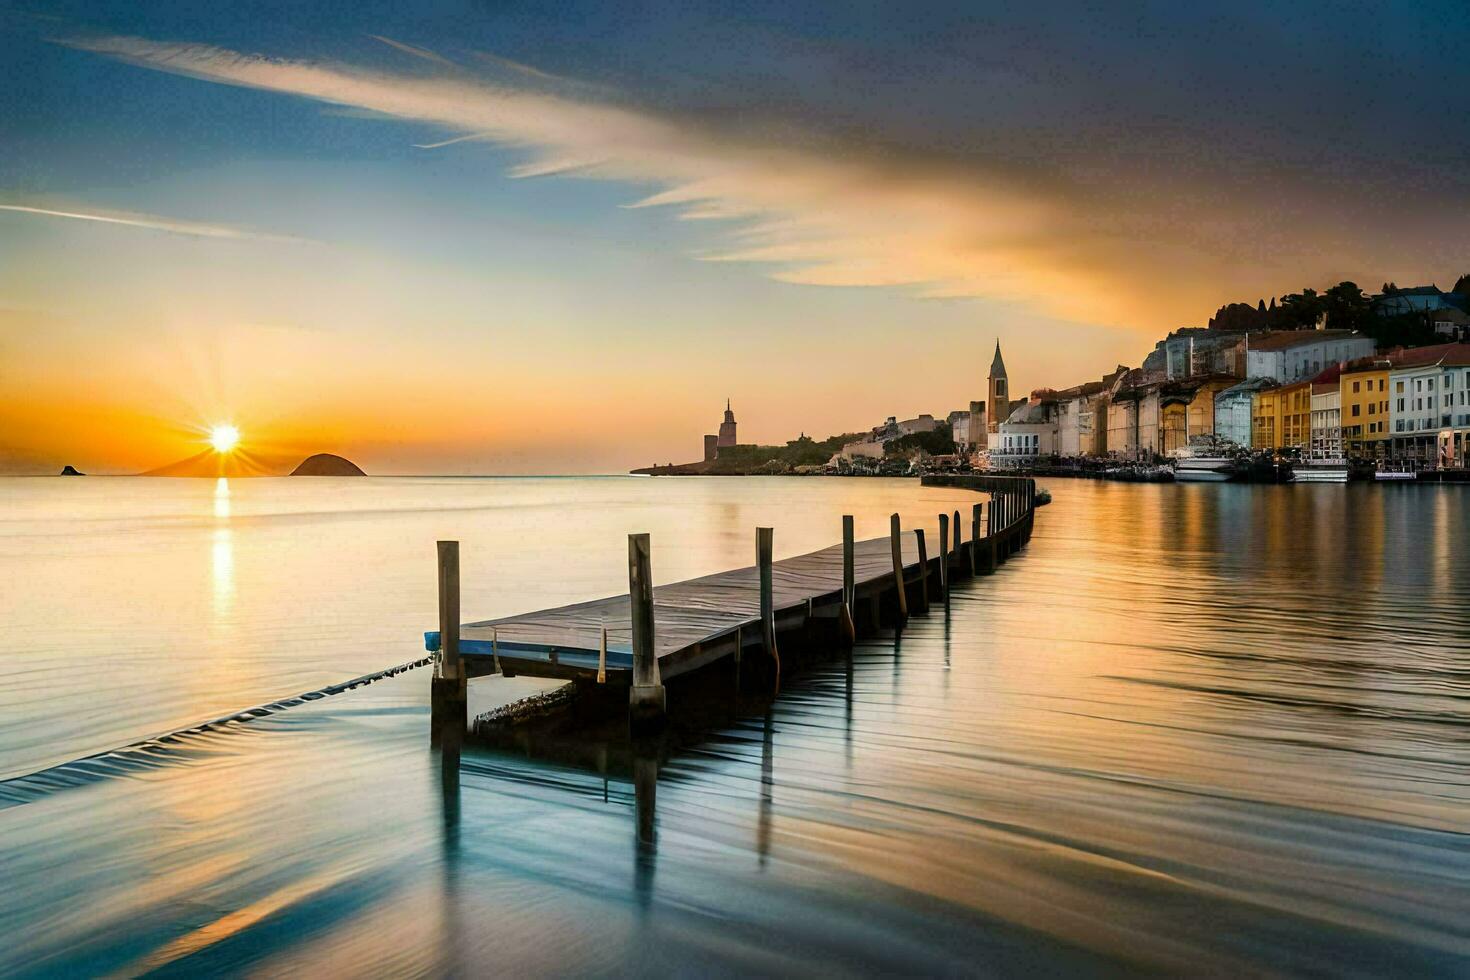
x=1187, y=729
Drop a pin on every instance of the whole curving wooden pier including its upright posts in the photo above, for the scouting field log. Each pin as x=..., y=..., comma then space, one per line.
x=659, y=633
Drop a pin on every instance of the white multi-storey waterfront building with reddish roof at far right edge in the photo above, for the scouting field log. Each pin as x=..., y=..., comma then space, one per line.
x=1430, y=403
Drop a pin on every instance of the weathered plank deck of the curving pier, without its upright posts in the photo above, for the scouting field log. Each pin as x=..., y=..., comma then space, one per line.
x=717, y=616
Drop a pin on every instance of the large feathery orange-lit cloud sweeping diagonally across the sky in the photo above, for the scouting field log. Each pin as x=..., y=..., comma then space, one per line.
x=818, y=209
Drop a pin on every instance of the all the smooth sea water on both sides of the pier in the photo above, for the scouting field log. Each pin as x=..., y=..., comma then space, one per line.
x=1209, y=729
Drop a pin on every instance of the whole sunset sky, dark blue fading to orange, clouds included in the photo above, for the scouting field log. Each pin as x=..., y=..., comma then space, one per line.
x=843, y=209
